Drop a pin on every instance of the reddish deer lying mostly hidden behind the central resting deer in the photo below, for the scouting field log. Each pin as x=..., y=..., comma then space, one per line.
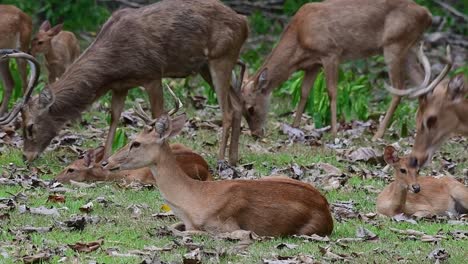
x=88, y=168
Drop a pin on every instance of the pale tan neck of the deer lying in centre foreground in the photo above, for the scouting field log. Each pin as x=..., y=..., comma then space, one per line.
x=175, y=185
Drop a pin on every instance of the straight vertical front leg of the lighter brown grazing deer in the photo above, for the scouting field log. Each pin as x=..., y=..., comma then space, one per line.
x=330, y=68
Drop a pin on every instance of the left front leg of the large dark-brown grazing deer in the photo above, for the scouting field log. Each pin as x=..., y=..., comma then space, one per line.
x=117, y=106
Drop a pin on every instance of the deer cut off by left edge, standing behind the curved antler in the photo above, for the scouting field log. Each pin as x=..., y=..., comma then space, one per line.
x=15, y=33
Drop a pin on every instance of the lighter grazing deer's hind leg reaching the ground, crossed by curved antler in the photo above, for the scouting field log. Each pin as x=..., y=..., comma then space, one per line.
x=394, y=59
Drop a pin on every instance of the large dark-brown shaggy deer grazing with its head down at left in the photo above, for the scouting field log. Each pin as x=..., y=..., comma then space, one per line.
x=171, y=38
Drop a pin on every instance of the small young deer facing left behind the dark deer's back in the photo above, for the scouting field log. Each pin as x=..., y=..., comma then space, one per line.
x=59, y=47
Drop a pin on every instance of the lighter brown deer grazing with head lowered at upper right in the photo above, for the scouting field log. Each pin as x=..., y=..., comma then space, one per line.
x=328, y=33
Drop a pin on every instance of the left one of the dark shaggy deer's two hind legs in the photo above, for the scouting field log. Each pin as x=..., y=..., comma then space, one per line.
x=220, y=72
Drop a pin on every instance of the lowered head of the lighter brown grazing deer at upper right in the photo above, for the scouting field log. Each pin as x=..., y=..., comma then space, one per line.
x=255, y=99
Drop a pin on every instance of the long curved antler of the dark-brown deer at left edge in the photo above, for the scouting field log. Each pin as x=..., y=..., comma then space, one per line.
x=35, y=68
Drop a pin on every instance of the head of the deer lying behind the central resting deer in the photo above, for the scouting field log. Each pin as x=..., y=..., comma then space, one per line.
x=84, y=168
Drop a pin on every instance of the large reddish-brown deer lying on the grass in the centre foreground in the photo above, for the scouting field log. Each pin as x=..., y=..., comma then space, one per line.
x=270, y=207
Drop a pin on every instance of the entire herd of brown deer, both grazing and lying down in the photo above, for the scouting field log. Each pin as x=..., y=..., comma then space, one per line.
x=179, y=38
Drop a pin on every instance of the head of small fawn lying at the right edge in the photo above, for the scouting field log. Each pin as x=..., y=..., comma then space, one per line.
x=405, y=173
